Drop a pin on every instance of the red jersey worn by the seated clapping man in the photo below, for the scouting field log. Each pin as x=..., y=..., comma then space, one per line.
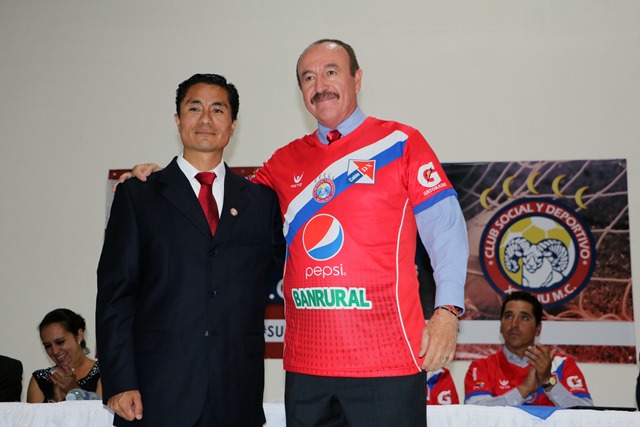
x=495, y=375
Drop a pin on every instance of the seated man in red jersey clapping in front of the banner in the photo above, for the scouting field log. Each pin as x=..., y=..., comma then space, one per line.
x=525, y=373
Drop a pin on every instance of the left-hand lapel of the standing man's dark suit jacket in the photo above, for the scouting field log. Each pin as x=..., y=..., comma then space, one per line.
x=178, y=191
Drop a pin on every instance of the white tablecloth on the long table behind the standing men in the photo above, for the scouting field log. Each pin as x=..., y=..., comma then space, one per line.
x=93, y=413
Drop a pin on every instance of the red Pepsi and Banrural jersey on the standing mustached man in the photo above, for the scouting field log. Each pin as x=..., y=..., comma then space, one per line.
x=351, y=292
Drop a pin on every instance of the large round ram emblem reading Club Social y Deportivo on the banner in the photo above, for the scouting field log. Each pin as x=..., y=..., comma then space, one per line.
x=538, y=246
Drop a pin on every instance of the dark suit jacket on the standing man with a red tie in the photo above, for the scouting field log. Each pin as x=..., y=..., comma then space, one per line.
x=179, y=313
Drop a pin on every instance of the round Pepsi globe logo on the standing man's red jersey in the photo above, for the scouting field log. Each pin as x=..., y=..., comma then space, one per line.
x=322, y=237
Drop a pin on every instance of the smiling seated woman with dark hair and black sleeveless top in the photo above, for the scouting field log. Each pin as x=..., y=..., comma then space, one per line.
x=62, y=334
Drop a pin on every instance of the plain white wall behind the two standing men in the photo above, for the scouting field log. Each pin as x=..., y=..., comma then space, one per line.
x=89, y=86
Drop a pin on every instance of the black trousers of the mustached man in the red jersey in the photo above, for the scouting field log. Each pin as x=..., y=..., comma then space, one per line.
x=314, y=401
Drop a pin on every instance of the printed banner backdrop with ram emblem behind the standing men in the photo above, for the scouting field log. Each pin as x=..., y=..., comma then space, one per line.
x=556, y=229
